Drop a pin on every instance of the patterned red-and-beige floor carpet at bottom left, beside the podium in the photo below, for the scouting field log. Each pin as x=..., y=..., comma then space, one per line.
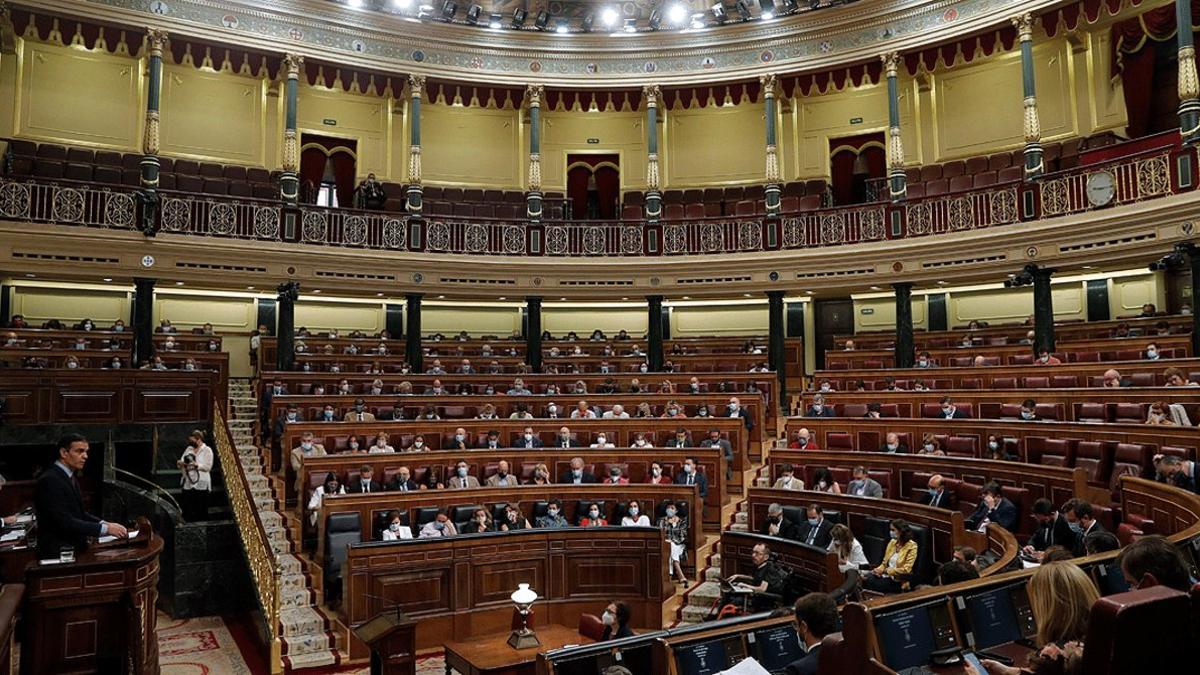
x=207, y=647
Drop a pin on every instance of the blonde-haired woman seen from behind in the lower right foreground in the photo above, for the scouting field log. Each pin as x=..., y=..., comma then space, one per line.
x=1061, y=596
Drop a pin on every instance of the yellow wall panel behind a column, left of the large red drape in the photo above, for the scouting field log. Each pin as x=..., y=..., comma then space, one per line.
x=979, y=109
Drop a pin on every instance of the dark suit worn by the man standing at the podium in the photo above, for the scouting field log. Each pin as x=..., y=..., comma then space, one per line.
x=62, y=521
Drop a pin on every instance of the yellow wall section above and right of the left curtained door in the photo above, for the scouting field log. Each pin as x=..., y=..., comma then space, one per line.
x=359, y=117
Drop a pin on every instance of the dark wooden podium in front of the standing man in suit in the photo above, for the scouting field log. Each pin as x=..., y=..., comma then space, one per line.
x=98, y=614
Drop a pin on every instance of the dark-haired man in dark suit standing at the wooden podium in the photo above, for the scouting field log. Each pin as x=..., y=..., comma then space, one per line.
x=62, y=521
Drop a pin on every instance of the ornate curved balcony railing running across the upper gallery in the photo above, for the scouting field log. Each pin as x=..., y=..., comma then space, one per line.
x=1138, y=177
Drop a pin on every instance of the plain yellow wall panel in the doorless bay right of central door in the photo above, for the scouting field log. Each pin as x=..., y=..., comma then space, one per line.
x=716, y=146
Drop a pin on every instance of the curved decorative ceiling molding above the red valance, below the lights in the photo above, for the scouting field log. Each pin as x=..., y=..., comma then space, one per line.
x=323, y=31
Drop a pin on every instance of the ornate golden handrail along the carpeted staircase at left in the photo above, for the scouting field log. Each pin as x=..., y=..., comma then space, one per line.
x=265, y=568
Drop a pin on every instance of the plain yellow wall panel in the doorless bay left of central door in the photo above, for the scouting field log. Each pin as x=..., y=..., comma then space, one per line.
x=471, y=147
